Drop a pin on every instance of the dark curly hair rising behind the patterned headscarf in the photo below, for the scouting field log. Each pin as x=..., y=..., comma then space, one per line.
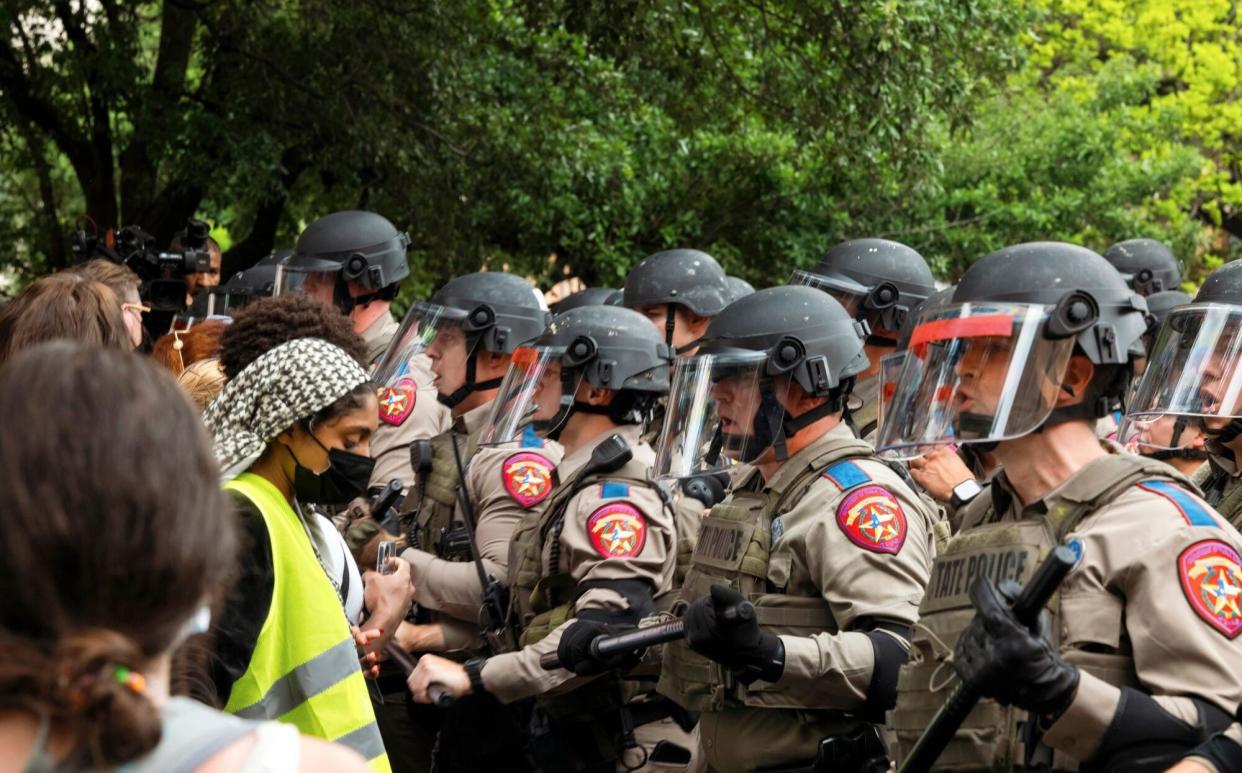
x=269, y=322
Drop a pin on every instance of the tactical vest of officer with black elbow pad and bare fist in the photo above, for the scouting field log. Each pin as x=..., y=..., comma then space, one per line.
x=542, y=597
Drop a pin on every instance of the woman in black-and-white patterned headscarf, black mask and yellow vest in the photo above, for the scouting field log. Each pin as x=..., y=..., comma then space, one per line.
x=292, y=429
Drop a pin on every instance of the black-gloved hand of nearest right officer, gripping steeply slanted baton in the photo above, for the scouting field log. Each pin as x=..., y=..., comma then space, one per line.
x=1002, y=659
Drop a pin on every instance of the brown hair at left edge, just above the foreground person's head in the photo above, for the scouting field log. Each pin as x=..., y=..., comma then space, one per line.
x=63, y=306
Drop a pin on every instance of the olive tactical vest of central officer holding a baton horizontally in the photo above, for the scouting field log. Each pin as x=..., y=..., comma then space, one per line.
x=735, y=549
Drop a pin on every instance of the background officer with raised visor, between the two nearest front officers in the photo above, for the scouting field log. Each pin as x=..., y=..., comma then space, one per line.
x=880, y=283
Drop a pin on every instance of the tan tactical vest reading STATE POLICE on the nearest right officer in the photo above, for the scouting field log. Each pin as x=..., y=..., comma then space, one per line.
x=992, y=739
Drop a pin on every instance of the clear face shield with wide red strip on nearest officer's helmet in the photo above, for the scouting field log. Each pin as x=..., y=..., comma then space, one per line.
x=974, y=373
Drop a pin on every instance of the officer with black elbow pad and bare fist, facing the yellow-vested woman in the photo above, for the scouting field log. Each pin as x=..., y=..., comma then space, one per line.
x=603, y=545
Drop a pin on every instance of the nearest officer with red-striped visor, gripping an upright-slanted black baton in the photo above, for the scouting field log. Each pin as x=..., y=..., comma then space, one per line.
x=1035, y=346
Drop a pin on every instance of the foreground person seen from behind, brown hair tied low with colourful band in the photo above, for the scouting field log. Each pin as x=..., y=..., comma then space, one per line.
x=90, y=624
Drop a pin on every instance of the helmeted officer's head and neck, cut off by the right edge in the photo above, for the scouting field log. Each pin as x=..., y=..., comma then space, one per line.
x=1188, y=401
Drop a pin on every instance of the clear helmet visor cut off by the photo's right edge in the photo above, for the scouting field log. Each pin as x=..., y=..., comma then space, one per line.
x=1195, y=367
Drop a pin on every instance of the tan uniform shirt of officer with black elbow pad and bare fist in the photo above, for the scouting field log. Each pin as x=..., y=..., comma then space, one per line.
x=583, y=555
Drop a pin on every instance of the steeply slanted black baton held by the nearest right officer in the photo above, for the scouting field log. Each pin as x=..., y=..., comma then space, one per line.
x=951, y=716
